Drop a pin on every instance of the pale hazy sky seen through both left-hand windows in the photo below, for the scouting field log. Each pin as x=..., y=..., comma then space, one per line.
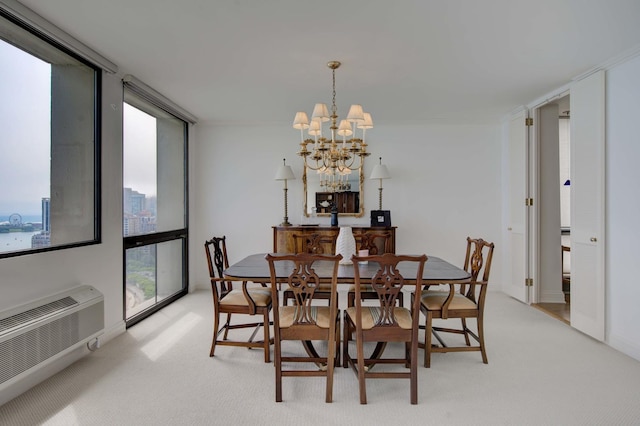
x=25, y=139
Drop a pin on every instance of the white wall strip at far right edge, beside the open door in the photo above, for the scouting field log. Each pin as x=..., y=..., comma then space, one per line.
x=622, y=207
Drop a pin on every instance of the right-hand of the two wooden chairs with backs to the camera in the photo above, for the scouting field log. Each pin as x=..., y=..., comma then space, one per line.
x=384, y=322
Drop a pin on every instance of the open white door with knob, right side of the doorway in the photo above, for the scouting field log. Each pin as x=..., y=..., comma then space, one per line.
x=587, y=204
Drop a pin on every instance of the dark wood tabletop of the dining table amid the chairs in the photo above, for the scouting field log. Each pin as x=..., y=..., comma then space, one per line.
x=436, y=271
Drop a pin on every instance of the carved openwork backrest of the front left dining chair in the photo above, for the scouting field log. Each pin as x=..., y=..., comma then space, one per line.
x=303, y=281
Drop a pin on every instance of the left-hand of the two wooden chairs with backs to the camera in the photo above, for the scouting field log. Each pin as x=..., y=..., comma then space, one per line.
x=303, y=321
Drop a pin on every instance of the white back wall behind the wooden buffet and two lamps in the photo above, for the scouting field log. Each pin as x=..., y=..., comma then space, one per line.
x=445, y=186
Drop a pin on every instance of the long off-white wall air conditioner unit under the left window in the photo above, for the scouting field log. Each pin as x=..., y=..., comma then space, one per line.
x=36, y=334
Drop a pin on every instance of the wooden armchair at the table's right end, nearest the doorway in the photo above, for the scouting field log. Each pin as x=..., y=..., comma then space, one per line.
x=461, y=301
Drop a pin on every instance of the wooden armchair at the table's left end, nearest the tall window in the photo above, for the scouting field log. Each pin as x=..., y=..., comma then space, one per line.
x=229, y=300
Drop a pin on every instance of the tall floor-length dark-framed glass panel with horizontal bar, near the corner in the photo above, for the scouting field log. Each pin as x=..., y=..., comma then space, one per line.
x=155, y=206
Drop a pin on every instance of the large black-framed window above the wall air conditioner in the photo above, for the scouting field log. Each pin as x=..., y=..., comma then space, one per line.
x=50, y=144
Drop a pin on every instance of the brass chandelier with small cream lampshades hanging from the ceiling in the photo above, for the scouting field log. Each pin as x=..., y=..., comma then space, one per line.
x=329, y=156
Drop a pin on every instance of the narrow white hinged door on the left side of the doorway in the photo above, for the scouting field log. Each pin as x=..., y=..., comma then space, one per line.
x=517, y=228
